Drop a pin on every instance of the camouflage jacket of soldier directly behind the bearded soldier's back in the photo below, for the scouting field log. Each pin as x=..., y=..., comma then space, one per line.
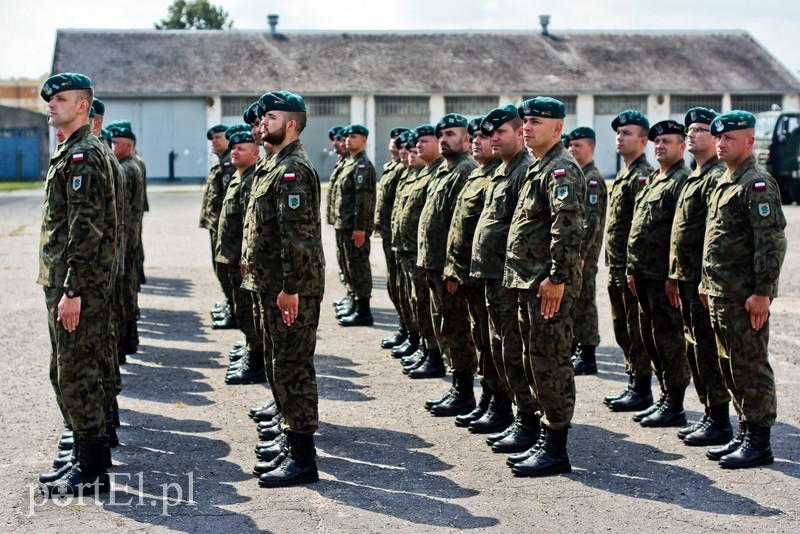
x=231, y=220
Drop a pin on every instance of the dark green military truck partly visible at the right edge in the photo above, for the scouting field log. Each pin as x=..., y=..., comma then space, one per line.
x=777, y=147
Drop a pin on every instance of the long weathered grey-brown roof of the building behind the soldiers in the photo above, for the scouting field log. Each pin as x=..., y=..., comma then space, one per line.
x=236, y=62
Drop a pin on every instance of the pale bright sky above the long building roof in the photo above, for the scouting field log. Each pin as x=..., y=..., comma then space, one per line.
x=28, y=29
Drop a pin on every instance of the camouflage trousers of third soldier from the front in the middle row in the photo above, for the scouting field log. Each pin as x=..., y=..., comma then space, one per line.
x=475, y=294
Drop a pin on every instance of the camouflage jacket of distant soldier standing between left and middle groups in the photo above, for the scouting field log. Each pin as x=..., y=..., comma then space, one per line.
x=356, y=201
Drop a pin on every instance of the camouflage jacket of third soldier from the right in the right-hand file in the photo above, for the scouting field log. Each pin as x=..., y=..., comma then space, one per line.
x=648, y=242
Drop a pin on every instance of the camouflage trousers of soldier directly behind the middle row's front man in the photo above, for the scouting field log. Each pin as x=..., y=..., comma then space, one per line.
x=506, y=341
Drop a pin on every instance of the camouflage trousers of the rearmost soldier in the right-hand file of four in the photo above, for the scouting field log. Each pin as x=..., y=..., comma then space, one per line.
x=625, y=319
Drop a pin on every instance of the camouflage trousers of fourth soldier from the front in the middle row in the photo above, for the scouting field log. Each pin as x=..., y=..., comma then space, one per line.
x=451, y=325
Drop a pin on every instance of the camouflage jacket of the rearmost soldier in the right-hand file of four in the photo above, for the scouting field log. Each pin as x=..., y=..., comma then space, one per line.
x=621, y=199
